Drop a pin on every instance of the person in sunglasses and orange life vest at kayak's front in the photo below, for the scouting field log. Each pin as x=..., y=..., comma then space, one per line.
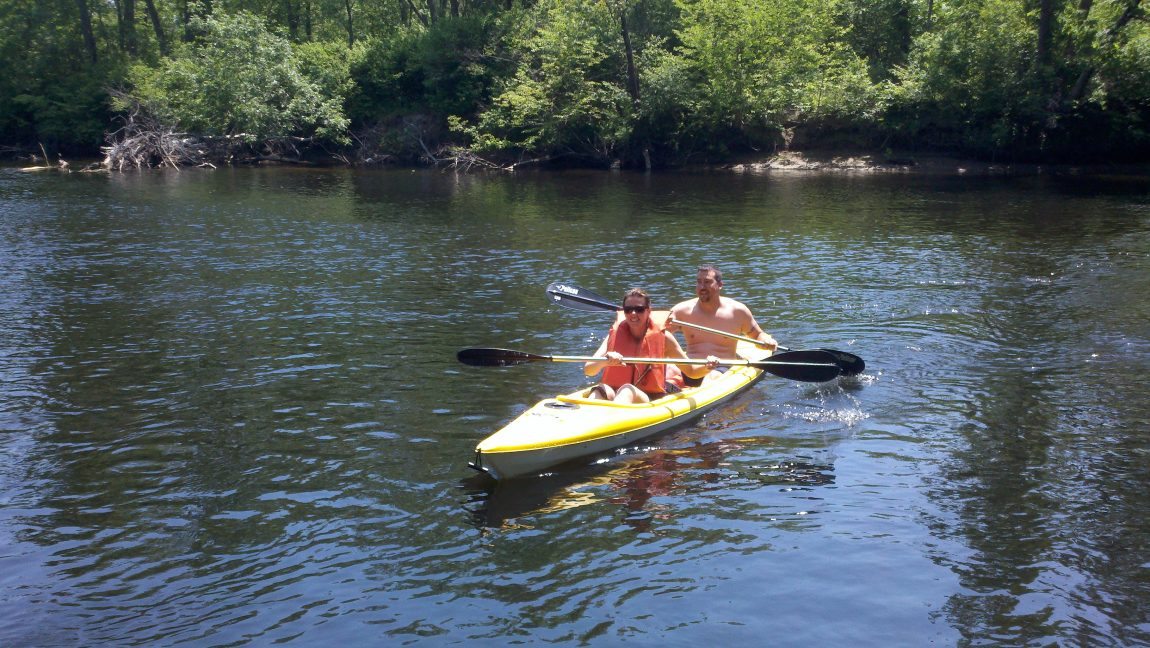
x=638, y=337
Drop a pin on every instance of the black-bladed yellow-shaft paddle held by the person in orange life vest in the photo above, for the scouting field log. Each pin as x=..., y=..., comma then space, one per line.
x=806, y=367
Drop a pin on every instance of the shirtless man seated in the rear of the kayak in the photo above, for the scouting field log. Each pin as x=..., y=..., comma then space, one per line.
x=712, y=310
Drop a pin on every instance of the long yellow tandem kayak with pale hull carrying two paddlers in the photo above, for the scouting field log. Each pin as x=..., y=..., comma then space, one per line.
x=572, y=426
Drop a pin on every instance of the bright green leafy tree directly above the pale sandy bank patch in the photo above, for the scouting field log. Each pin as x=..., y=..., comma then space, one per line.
x=762, y=68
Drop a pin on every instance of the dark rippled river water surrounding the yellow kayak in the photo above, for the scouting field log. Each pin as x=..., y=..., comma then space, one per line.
x=231, y=411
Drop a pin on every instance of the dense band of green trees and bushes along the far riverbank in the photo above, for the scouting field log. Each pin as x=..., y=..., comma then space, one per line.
x=591, y=82
